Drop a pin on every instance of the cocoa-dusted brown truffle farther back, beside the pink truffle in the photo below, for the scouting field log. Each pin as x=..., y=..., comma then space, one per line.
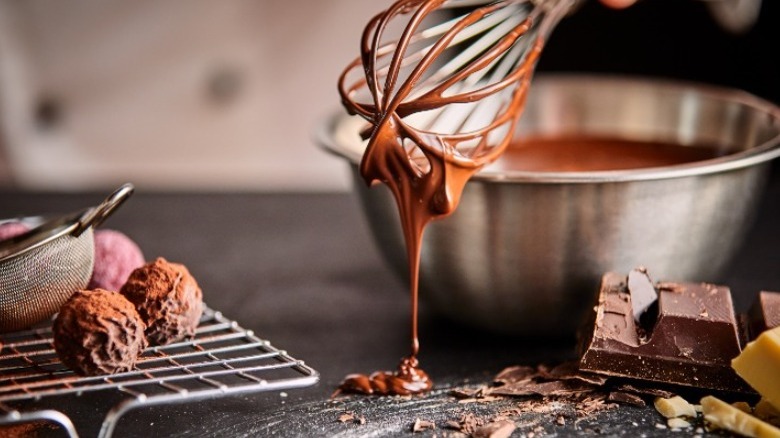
x=168, y=299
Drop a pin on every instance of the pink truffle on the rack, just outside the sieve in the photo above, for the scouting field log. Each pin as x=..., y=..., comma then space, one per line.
x=116, y=256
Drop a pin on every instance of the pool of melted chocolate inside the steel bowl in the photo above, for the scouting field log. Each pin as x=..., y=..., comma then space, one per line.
x=586, y=154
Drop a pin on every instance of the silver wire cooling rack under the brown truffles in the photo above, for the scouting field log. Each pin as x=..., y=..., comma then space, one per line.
x=222, y=358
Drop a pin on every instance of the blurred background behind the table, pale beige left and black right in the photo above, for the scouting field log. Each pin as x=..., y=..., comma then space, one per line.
x=197, y=95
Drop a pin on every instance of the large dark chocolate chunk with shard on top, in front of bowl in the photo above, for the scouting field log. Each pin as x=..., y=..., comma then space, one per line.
x=691, y=342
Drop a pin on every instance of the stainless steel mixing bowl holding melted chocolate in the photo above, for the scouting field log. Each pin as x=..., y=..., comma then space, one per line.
x=524, y=252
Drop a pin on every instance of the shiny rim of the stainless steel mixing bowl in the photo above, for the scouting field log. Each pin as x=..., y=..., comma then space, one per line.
x=764, y=152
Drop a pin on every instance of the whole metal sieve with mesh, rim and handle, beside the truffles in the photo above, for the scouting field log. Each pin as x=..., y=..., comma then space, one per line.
x=40, y=269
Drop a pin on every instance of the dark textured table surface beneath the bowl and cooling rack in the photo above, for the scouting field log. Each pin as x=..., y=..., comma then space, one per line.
x=301, y=270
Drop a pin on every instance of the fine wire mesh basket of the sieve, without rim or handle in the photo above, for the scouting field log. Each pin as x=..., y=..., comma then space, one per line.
x=34, y=284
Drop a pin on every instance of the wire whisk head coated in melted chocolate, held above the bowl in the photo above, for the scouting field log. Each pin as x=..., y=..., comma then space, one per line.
x=442, y=97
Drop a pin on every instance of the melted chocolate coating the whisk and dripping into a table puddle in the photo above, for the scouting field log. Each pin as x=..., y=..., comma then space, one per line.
x=426, y=186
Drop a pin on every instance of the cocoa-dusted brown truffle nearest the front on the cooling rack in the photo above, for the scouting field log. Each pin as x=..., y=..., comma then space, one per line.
x=98, y=332
